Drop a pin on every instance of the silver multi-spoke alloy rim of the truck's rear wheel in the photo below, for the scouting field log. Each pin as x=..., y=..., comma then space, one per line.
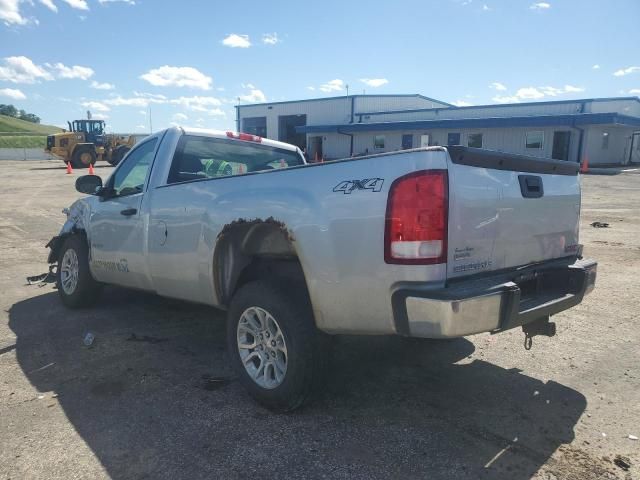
x=262, y=347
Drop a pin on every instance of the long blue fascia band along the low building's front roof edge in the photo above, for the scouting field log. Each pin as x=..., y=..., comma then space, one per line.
x=490, y=122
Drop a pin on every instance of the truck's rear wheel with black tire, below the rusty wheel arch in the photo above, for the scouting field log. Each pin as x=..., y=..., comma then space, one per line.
x=274, y=346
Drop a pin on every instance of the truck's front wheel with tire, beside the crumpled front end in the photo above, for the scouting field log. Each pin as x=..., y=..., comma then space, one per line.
x=76, y=287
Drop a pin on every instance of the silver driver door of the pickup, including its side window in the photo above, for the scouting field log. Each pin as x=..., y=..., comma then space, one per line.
x=117, y=226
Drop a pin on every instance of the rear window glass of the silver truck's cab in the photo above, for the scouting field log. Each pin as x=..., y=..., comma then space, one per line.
x=204, y=157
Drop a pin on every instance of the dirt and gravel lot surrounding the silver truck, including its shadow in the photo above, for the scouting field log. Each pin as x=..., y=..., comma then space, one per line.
x=153, y=396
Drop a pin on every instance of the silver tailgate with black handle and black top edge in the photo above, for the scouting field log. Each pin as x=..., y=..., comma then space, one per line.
x=509, y=210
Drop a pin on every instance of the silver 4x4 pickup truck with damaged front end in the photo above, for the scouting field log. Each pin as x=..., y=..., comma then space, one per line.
x=434, y=242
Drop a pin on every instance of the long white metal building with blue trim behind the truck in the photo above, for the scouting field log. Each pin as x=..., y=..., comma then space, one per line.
x=606, y=131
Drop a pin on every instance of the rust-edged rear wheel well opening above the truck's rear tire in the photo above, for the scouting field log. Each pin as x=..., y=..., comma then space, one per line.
x=250, y=250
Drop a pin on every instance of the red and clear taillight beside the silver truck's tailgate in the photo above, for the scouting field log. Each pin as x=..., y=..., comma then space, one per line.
x=416, y=222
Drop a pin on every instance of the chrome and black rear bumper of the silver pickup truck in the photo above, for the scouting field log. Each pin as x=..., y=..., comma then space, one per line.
x=492, y=304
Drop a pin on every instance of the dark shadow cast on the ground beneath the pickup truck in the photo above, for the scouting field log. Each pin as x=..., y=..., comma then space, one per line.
x=153, y=398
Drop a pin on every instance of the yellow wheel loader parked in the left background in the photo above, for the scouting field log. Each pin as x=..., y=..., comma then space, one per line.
x=86, y=142
